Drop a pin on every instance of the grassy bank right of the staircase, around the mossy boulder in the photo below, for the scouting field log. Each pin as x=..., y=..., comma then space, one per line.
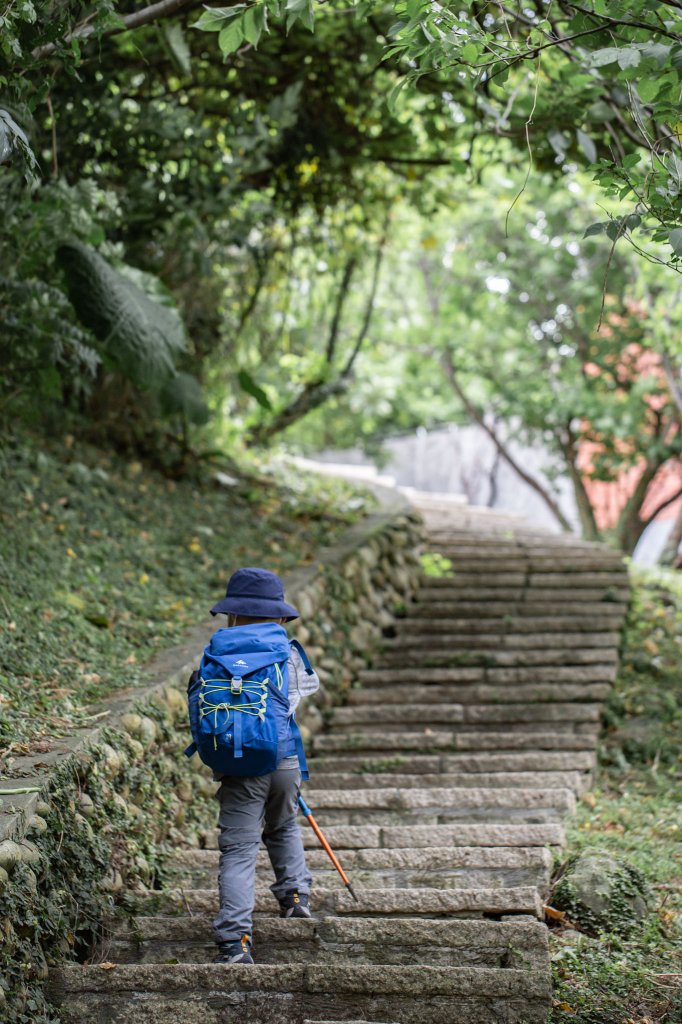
x=635, y=813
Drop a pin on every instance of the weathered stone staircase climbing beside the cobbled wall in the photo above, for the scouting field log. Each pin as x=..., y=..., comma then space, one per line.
x=443, y=786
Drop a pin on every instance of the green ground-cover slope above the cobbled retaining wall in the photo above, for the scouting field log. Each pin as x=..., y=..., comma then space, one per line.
x=104, y=563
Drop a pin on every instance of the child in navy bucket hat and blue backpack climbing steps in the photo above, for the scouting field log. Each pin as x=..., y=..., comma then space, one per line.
x=242, y=711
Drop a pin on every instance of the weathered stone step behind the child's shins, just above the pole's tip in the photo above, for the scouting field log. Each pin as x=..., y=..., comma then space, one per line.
x=464, y=868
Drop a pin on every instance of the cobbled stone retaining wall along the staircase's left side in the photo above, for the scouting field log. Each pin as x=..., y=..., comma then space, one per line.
x=97, y=812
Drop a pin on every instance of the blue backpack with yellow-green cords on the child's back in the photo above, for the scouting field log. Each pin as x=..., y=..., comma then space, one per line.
x=239, y=702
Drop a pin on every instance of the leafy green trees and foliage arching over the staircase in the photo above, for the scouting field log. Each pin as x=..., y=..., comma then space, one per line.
x=319, y=225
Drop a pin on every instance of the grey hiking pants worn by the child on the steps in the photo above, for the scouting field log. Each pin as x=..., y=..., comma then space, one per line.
x=266, y=805
